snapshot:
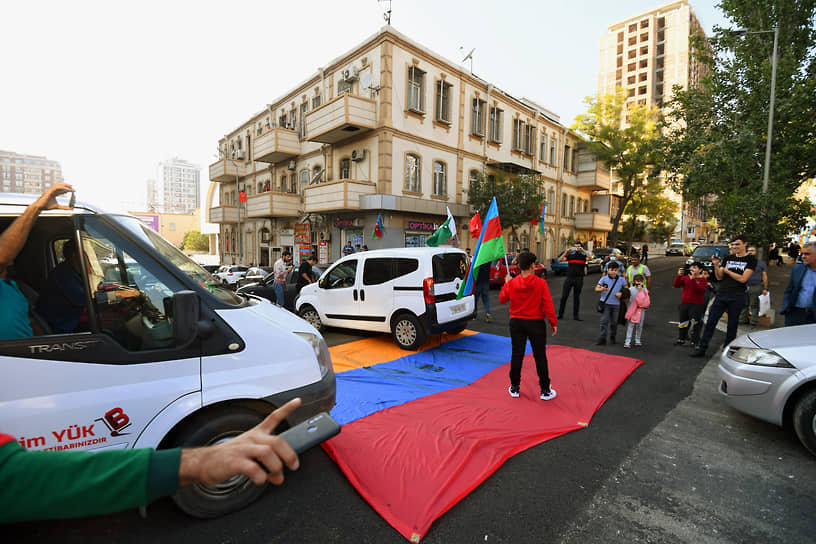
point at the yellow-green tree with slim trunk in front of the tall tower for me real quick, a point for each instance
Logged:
(629, 151)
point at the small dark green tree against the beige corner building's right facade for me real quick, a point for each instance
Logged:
(518, 199)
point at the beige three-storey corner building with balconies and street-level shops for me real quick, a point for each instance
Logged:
(394, 130)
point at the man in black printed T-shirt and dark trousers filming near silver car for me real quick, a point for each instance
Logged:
(733, 272)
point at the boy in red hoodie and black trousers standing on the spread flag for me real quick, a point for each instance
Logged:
(530, 307)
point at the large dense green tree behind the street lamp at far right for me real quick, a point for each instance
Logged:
(716, 135)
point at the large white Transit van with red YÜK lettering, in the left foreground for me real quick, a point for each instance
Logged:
(157, 354)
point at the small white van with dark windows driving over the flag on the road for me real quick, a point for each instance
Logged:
(409, 292)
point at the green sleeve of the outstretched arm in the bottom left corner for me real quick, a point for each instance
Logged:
(59, 484)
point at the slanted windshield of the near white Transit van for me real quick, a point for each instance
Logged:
(152, 239)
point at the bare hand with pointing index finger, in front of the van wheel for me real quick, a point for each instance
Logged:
(244, 454)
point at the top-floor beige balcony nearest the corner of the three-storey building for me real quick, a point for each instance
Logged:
(346, 116)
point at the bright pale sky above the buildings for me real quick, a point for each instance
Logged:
(109, 89)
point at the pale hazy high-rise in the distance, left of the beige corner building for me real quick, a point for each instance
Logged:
(175, 189)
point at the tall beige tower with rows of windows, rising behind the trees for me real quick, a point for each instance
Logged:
(647, 54)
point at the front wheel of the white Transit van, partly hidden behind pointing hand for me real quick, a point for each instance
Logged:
(214, 500)
